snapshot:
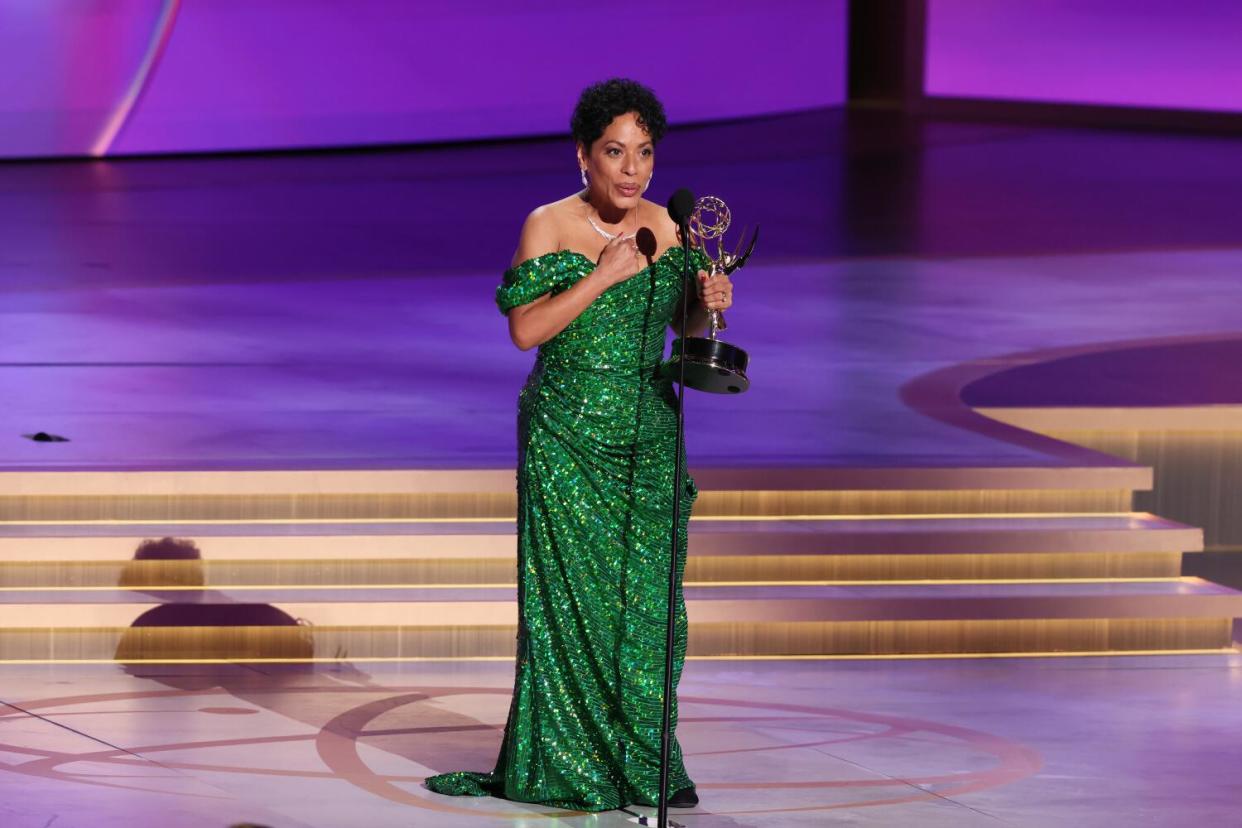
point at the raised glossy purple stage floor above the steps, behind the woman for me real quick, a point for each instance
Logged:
(335, 312)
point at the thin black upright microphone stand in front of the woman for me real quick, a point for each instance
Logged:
(670, 639)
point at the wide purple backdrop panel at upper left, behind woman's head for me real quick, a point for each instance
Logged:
(161, 76)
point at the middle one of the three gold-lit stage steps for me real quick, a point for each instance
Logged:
(387, 553)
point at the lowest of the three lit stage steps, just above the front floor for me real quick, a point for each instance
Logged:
(479, 621)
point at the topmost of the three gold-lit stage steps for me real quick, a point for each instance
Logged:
(88, 496)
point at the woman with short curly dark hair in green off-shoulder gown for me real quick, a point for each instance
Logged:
(596, 476)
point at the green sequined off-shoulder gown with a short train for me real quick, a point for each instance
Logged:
(597, 429)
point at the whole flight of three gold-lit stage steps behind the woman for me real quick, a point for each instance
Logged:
(315, 574)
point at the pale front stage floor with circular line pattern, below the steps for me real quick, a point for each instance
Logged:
(1069, 742)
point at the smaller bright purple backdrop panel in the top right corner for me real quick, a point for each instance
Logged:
(1169, 54)
